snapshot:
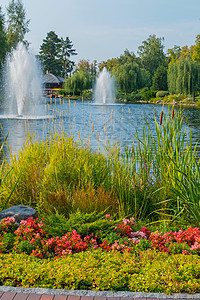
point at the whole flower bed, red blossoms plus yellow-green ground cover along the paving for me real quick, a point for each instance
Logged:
(129, 259)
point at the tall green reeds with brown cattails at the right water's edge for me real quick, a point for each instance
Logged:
(150, 163)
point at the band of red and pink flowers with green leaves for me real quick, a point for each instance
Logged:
(30, 237)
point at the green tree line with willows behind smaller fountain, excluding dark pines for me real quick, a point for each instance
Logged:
(151, 70)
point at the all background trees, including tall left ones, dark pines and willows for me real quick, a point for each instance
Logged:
(152, 69)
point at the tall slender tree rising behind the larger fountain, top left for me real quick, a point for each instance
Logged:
(17, 24)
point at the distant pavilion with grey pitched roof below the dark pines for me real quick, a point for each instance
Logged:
(51, 84)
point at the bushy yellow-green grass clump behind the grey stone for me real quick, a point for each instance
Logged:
(60, 174)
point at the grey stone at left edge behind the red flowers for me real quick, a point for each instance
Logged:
(19, 212)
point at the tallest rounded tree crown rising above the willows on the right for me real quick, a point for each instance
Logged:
(151, 53)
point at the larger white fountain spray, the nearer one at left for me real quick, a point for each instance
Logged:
(23, 88)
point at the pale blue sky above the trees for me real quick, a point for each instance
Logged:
(103, 29)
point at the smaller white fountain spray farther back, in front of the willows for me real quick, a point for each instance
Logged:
(104, 88)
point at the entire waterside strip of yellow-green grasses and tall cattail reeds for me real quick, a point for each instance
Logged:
(60, 174)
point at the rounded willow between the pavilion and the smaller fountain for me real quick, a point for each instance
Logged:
(78, 82)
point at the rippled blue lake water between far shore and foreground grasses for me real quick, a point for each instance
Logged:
(97, 125)
